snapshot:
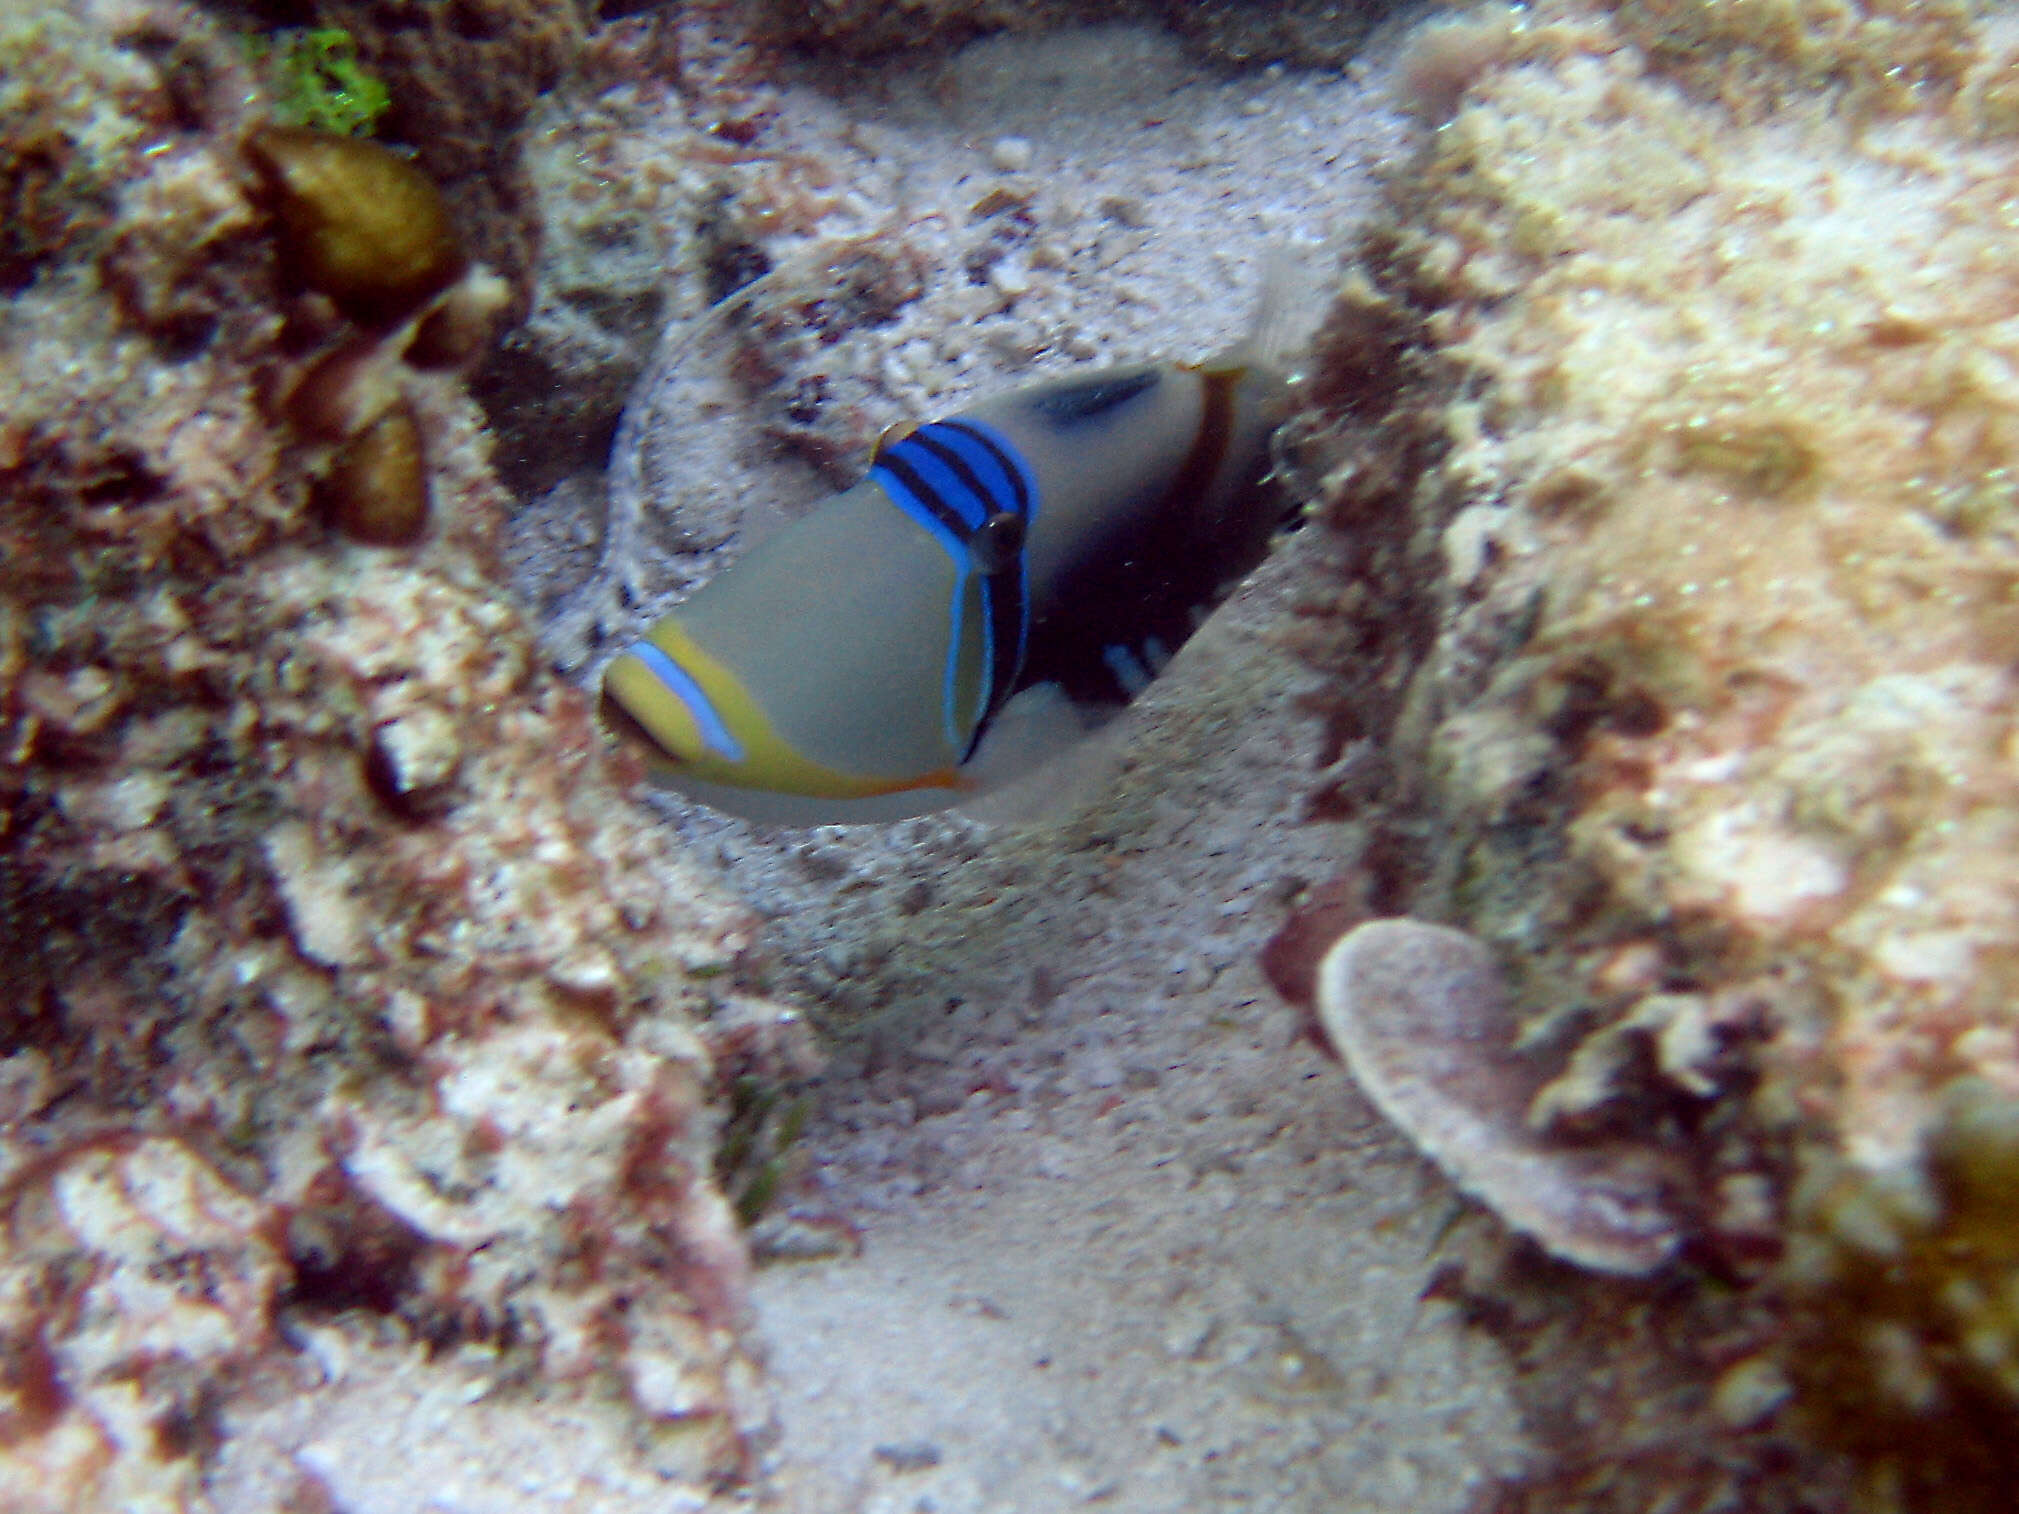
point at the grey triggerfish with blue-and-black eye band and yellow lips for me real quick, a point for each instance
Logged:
(1002, 576)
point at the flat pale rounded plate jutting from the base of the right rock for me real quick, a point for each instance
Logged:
(1422, 1018)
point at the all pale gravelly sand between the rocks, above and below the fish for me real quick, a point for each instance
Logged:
(1128, 1240)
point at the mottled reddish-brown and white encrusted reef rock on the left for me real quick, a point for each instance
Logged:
(356, 1024)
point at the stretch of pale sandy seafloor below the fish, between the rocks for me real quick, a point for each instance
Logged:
(1176, 1265)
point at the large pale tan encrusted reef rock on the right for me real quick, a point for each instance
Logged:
(1677, 427)
